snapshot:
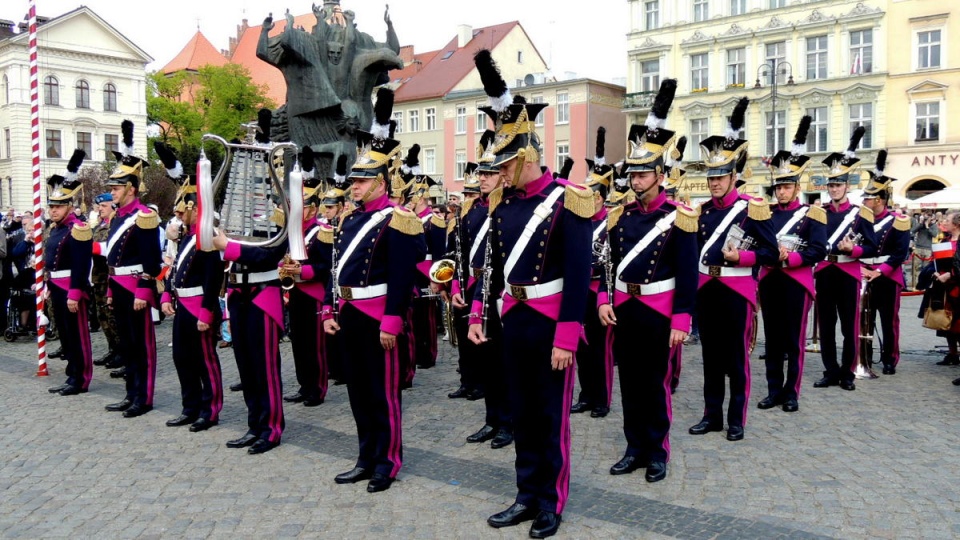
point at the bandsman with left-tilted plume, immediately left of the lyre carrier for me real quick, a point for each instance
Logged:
(194, 284)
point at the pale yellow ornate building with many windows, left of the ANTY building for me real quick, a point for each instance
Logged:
(825, 58)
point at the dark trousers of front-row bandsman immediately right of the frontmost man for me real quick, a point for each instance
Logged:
(646, 374)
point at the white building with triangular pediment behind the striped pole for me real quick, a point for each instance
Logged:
(91, 77)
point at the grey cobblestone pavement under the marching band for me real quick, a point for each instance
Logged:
(880, 462)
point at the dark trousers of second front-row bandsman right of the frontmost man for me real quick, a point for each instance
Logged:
(726, 323)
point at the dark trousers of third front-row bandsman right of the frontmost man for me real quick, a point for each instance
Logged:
(786, 304)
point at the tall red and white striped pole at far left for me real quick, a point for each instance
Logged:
(37, 209)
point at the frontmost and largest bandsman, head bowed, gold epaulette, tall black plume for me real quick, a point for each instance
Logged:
(540, 259)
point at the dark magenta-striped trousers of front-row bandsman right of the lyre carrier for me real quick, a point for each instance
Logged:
(373, 386)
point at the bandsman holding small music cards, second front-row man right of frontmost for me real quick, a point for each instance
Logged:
(727, 295)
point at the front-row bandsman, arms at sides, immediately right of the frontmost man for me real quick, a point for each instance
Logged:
(652, 268)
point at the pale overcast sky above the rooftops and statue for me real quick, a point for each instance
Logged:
(590, 43)
